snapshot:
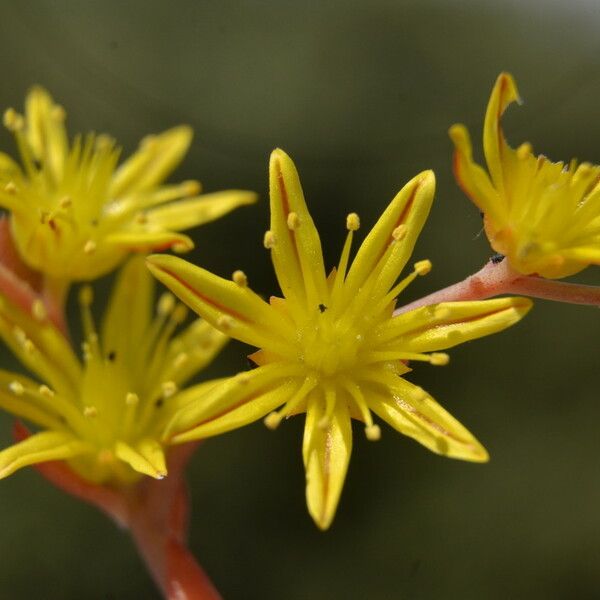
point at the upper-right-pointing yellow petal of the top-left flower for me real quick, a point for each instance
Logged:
(153, 162)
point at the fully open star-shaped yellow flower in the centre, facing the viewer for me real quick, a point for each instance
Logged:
(332, 347)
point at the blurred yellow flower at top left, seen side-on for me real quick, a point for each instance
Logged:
(75, 214)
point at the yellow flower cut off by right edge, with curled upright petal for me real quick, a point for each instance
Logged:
(544, 216)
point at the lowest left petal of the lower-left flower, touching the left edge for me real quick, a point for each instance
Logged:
(41, 447)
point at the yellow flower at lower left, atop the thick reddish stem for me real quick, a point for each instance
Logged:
(107, 415)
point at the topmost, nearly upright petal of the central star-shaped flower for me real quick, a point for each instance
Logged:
(296, 252)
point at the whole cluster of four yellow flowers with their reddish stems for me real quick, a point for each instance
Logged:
(335, 345)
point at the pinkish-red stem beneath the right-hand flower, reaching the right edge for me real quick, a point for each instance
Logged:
(498, 278)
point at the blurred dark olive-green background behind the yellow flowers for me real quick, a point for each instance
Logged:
(361, 95)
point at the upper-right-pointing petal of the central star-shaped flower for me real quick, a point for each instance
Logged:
(408, 210)
